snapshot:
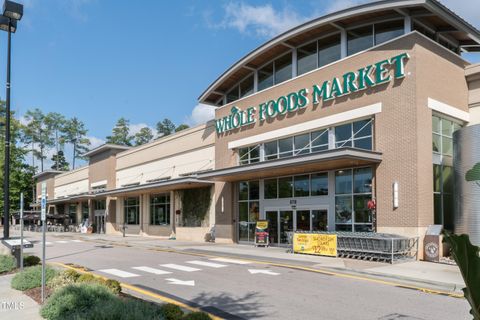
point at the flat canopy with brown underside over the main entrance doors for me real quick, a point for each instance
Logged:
(321, 161)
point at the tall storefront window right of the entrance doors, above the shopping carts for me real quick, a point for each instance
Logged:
(353, 191)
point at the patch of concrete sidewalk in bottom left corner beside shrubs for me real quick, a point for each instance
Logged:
(14, 304)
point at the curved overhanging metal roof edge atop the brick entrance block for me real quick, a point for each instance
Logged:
(401, 7)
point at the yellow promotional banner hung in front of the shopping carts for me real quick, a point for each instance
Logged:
(318, 244)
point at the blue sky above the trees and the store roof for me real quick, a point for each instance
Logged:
(144, 60)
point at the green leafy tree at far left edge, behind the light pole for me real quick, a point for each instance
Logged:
(21, 174)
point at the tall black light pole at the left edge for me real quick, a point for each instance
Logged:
(12, 12)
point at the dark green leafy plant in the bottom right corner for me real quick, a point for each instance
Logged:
(466, 255)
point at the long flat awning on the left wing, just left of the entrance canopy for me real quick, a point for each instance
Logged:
(158, 186)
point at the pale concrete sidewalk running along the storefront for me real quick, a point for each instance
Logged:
(432, 276)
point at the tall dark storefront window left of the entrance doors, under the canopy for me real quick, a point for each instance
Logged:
(248, 209)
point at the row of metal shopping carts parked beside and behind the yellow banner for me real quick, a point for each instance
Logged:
(373, 246)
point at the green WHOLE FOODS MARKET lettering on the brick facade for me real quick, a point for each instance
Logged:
(355, 81)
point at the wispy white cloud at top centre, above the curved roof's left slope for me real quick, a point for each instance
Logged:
(262, 20)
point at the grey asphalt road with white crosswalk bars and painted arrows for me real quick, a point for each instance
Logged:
(236, 290)
